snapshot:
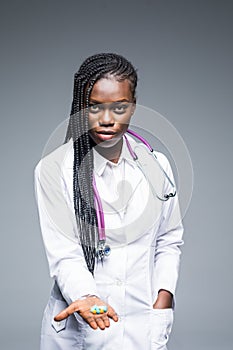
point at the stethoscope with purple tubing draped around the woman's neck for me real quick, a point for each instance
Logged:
(103, 249)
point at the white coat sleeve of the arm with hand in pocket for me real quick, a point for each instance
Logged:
(169, 238)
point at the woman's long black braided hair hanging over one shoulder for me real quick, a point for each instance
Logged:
(92, 69)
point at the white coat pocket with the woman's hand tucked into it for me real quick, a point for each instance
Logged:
(161, 326)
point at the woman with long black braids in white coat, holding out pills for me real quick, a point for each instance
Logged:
(112, 245)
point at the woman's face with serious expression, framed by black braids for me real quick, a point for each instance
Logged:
(110, 111)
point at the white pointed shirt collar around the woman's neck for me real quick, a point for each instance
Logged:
(100, 162)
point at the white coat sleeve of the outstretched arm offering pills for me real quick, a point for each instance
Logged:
(64, 253)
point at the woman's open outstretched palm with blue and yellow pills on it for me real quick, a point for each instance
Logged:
(83, 308)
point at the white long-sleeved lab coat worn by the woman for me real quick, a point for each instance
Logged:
(144, 234)
